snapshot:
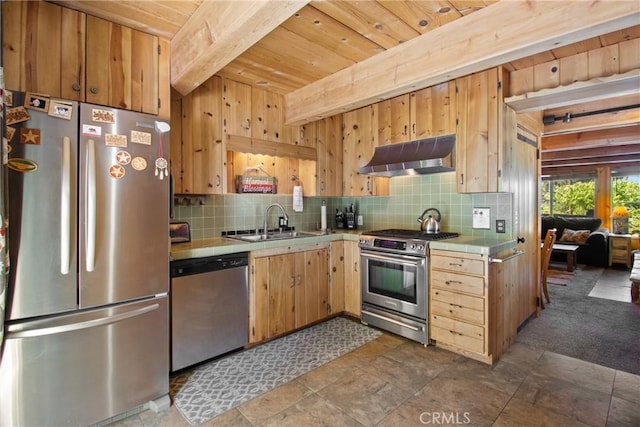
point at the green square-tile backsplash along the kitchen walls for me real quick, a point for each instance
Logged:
(409, 197)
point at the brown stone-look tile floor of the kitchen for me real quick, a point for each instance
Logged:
(392, 381)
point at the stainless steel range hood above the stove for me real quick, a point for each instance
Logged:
(421, 157)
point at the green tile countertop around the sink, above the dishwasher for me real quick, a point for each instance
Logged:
(226, 245)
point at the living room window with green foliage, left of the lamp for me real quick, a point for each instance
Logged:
(568, 197)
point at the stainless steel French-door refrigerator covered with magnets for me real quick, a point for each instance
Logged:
(86, 325)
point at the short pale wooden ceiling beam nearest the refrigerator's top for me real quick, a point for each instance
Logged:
(218, 32)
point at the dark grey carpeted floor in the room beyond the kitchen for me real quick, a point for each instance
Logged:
(596, 330)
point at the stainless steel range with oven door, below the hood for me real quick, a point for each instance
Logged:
(394, 277)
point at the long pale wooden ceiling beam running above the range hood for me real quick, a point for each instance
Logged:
(464, 46)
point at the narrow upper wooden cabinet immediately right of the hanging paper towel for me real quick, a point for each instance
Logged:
(329, 164)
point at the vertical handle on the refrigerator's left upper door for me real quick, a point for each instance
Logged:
(65, 208)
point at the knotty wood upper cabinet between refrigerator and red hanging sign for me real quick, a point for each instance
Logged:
(198, 152)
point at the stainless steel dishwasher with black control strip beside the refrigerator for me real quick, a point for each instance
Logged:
(209, 308)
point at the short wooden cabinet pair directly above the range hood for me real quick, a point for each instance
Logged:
(422, 114)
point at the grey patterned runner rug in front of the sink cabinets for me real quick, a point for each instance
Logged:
(225, 383)
